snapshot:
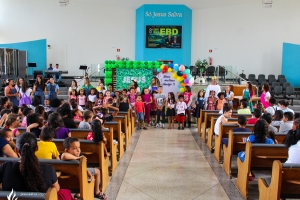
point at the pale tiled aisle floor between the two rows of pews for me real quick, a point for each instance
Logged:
(168, 164)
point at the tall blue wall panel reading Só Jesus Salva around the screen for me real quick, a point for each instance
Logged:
(180, 56)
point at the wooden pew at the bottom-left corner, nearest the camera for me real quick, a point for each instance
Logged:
(50, 195)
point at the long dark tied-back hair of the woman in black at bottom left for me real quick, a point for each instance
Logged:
(29, 165)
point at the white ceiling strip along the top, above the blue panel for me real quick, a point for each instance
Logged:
(193, 4)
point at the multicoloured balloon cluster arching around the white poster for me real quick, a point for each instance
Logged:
(180, 73)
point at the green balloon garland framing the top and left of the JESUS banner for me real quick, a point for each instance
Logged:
(114, 64)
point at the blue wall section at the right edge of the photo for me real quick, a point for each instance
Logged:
(291, 63)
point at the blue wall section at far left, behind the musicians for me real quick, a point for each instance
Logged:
(36, 52)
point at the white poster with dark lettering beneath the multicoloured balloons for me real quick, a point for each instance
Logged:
(169, 84)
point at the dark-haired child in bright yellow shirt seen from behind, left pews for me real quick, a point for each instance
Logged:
(46, 148)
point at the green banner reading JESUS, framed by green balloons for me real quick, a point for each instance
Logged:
(124, 78)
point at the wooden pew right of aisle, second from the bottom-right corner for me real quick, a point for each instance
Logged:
(259, 156)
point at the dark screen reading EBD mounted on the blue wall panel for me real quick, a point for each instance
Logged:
(163, 36)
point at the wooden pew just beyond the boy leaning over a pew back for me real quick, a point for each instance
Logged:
(94, 154)
